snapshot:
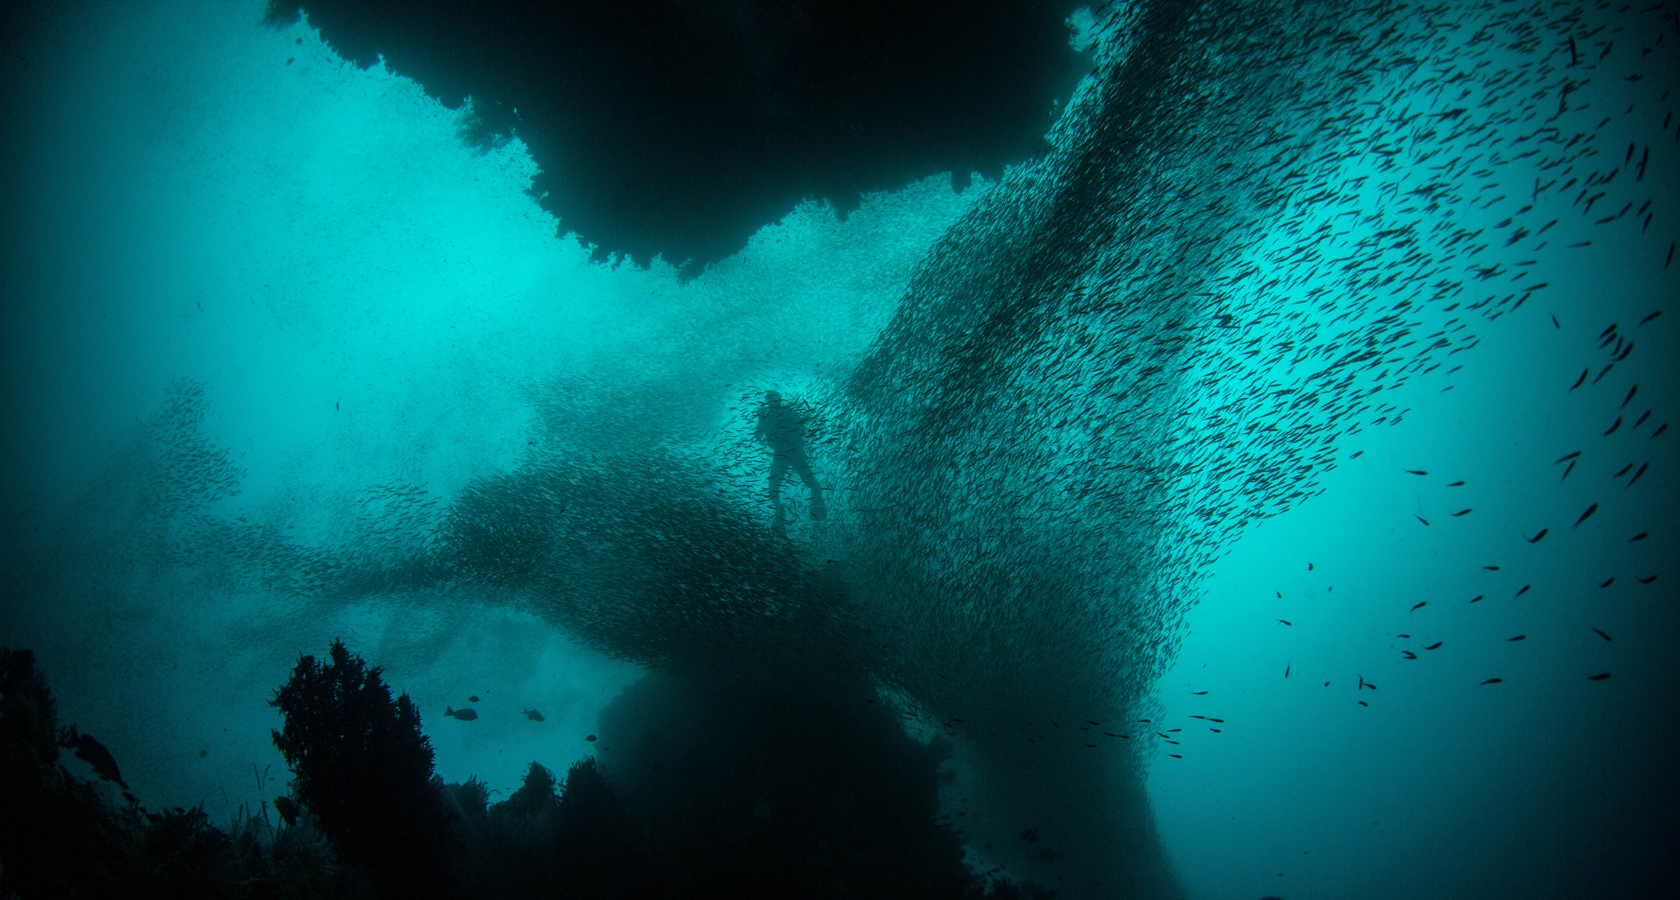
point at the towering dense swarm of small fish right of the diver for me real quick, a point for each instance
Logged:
(1259, 219)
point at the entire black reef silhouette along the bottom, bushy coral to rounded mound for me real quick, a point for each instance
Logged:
(777, 792)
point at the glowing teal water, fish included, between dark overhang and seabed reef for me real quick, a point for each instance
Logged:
(1205, 427)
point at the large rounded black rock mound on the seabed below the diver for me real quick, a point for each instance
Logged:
(757, 785)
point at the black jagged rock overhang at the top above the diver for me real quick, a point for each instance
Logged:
(678, 128)
